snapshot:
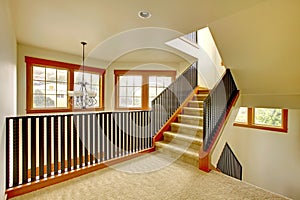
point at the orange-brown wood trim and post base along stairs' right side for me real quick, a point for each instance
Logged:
(204, 156)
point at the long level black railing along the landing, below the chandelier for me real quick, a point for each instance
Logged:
(38, 147)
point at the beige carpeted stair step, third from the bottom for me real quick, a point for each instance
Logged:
(187, 129)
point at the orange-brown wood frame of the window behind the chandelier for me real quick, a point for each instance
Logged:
(31, 62)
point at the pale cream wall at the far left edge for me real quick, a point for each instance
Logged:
(8, 80)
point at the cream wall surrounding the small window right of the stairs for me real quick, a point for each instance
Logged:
(269, 159)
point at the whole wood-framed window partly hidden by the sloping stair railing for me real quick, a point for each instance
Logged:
(137, 88)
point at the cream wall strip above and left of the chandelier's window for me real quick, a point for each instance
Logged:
(25, 50)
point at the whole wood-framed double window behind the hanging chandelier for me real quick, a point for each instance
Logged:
(48, 83)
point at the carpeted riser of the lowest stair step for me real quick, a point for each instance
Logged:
(179, 156)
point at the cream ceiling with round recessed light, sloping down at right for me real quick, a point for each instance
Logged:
(257, 39)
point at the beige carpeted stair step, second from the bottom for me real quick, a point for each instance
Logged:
(185, 141)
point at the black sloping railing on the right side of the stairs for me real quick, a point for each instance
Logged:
(215, 108)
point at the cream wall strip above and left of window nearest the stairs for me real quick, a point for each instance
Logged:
(110, 81)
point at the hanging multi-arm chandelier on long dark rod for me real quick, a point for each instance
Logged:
(83, 98)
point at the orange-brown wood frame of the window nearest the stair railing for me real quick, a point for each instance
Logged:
(145, 85)
